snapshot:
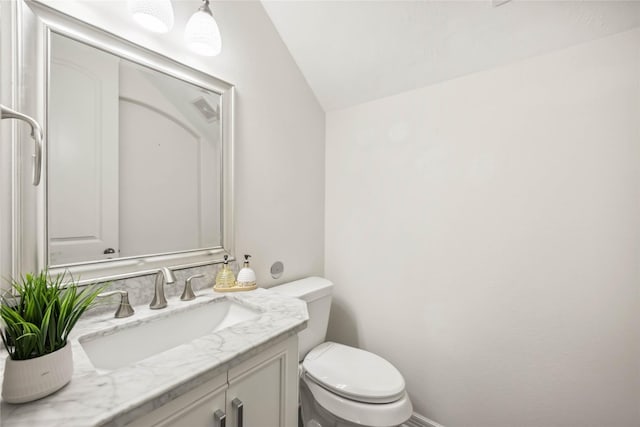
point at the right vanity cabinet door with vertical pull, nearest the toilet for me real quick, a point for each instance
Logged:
(263, 391)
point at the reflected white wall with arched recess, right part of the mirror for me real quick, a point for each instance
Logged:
(188, 161)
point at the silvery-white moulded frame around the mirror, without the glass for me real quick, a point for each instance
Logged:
(34, 23)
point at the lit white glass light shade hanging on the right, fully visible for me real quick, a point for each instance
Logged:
(202, 34)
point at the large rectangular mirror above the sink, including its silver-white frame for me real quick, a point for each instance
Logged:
(138, 154)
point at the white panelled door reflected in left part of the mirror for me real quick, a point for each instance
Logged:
(83, 153)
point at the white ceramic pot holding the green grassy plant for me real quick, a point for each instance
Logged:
(31, 379)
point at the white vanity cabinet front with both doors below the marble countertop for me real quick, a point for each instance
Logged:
(259, 392)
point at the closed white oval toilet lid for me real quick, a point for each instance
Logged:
(353, 373)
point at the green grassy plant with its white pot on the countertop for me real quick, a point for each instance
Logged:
(37, 318)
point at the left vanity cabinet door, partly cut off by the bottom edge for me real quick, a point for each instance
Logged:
(201, 407)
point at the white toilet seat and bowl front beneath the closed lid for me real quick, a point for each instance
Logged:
(367, 414)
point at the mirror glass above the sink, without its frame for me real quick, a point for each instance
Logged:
(134, 159)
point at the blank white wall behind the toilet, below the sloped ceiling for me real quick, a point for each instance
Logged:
(484, 236)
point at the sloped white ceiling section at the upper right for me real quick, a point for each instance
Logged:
(351, 52)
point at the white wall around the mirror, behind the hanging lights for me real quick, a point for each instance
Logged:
(279, 183)
